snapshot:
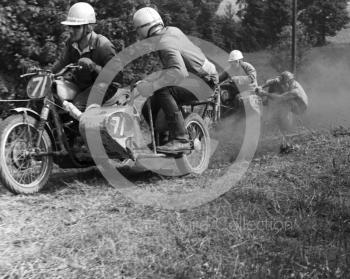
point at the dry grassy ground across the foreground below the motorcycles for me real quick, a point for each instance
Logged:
(288, 218)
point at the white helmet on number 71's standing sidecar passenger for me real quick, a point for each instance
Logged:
(145, 19)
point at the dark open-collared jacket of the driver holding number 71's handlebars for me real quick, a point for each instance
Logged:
(100, 50)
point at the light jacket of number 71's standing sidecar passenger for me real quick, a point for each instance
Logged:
(180, 57)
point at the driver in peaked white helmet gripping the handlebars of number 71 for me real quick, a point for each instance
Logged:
(86, 48)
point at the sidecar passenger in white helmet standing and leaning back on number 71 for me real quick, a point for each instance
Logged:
(179, 57)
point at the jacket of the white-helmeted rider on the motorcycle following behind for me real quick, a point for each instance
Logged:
(244, 77)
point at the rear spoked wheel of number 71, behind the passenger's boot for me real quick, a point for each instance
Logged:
(197, 160)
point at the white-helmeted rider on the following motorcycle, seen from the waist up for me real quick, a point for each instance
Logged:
(242, 73)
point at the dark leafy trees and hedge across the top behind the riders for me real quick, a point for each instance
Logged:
(31, 33)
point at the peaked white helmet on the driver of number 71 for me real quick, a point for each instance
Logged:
(80, 13)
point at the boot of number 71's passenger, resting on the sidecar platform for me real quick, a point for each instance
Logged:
(179, 141)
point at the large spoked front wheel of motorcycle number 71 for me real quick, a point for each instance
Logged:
(21, 171)
